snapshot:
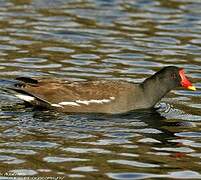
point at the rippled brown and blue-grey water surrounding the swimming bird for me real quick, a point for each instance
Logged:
(114, 39)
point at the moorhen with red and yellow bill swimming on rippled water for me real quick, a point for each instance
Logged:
(100, 96)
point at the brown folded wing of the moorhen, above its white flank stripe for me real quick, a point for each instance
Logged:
(59, 91)
